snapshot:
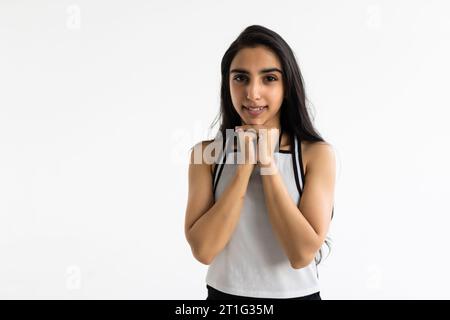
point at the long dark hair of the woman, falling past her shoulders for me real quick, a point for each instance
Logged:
(294, 117)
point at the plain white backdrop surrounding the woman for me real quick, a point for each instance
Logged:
(100, 102)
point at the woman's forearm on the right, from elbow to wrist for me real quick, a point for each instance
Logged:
(297, 237)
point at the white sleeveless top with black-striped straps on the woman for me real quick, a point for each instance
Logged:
(253, 263)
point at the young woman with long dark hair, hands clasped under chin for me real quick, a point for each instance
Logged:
(260, 223)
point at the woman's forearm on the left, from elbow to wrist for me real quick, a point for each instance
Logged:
(210, 234)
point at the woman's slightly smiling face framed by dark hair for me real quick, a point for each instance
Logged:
(256, 86)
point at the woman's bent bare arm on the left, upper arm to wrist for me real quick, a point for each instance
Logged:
(209, 225)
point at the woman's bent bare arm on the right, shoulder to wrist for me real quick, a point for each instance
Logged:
(302, 230)
